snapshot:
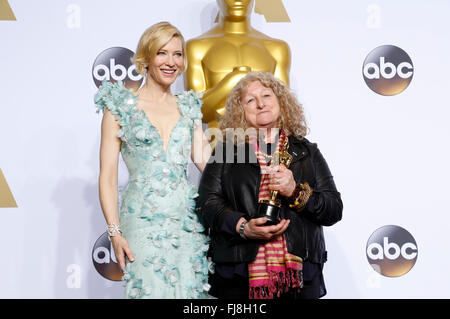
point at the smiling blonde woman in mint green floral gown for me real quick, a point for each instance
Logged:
(157, 238)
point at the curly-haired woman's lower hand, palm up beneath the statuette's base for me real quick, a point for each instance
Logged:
(256, 229)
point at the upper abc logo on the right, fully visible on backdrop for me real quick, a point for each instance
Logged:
(388, 70)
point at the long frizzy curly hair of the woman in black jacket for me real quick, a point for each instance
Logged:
(292, 118)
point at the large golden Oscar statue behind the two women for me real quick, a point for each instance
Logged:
(219, 58)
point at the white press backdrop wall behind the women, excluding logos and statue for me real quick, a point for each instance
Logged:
(389, 154)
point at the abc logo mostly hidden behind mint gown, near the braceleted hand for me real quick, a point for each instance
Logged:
(104, 259)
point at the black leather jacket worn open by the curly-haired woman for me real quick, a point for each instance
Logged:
(227, 188)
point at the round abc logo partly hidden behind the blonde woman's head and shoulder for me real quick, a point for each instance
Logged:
(114, 64)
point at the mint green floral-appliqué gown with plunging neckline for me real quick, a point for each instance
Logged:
(157, 207)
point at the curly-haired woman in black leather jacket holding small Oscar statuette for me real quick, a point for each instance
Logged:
(265, 195)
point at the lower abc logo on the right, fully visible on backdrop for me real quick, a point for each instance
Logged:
(391, 251)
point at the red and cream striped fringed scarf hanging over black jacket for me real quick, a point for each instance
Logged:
(274, 270)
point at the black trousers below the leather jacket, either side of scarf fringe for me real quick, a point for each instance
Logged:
(238, 288)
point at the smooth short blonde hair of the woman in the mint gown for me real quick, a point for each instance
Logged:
(153, 39)
